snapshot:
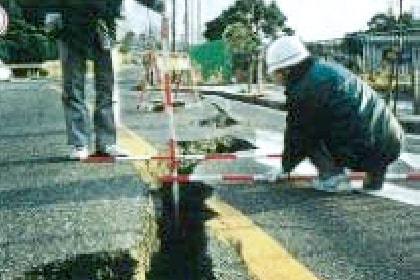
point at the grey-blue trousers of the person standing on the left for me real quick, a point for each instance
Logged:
(73, 57)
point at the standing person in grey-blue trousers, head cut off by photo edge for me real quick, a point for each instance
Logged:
(87, 31)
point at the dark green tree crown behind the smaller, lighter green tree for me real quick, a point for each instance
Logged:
(252, 13)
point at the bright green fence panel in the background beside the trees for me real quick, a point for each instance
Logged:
(214, 59)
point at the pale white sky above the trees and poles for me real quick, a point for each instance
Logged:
(311, 19)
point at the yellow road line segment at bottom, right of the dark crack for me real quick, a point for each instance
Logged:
(265, 258)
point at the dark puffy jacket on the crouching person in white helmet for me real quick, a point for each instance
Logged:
(328, 103)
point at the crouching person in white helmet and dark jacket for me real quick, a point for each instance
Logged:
(334, 118)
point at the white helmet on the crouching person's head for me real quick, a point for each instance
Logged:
(284, 52)
